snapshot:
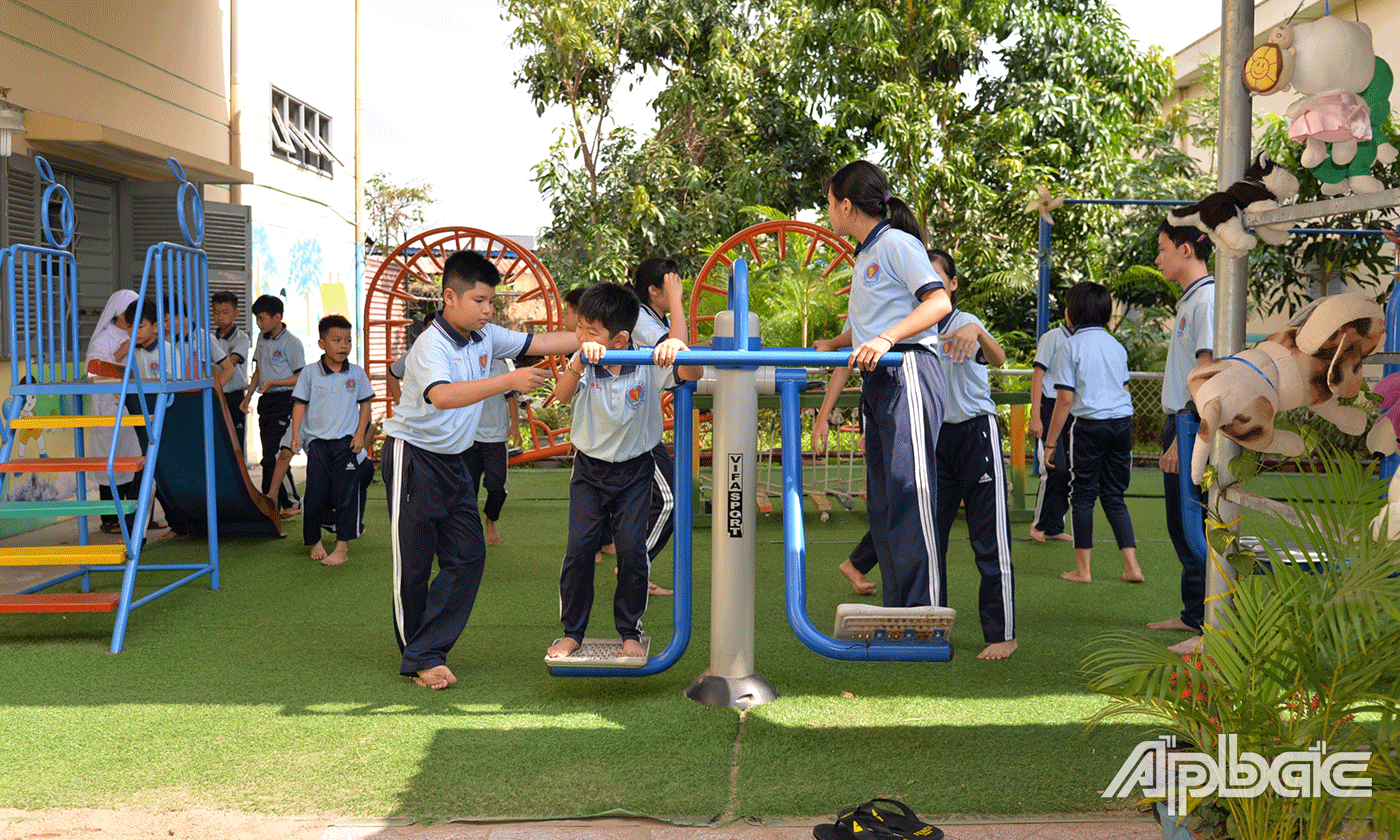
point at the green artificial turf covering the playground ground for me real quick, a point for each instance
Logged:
(281, 692)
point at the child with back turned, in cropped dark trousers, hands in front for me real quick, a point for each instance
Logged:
(1091, 379)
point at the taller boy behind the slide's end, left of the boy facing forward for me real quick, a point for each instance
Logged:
(279, 359)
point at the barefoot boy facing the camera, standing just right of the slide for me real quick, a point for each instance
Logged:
(331, 415)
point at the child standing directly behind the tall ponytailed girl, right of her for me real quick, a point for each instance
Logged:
(969, 468)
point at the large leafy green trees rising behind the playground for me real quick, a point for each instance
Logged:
(968, 104)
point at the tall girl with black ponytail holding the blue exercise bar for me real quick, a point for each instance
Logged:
(897, 302)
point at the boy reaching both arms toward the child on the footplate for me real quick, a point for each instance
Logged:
(428, 482)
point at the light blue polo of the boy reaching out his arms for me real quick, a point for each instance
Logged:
(443, 356)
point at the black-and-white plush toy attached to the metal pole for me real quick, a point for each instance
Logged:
(1265, 185)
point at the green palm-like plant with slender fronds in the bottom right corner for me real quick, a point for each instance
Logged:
(1298, 674)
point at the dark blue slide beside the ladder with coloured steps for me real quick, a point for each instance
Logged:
(180, 471)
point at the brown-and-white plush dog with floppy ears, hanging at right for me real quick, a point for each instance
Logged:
(1314, 363)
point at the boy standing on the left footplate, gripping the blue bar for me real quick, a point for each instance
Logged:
(617, 426)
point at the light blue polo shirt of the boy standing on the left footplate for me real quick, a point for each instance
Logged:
(618, 416)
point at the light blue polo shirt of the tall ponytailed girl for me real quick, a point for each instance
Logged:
(892, 274)
